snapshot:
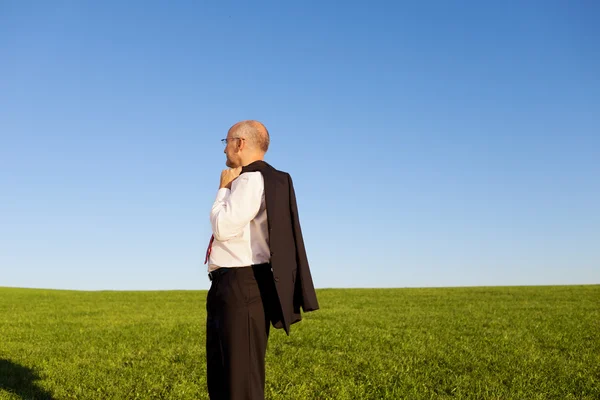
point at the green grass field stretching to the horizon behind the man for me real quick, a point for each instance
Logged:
(476, 343)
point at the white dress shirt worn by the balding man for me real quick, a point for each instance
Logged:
(239, 224)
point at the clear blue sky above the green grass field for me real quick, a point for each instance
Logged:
(431, 144)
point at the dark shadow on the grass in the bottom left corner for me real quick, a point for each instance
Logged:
(21, 381)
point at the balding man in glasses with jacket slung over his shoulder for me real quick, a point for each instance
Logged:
(257, 265)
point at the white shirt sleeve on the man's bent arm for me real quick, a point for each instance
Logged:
(234, 209)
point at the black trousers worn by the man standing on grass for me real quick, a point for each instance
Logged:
(238, 306)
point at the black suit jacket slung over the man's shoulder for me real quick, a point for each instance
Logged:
(291, 272)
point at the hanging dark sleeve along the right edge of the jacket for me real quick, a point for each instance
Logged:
(303, 276)
